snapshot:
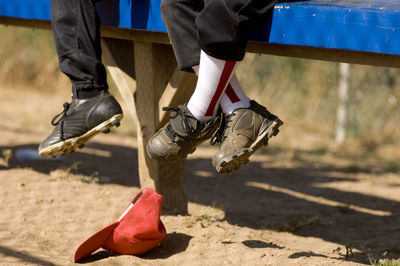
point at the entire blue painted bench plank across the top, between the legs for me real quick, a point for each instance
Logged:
(359, 25)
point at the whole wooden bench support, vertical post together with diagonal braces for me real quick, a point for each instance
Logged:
(149, 72)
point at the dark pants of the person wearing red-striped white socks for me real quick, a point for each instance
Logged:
(218, 27)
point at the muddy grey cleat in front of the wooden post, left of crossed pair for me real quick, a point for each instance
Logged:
(181, 135)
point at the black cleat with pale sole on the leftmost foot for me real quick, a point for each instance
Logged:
(80, 121)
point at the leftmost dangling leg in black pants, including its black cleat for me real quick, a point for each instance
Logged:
(76, 30)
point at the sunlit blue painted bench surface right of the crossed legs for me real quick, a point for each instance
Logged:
(369, 26)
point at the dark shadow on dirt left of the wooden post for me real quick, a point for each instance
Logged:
(112, 164)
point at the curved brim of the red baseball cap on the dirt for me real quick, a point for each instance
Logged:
(94, 242)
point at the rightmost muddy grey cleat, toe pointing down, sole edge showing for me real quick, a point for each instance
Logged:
(245, 131)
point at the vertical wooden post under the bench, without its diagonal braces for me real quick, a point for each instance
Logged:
(155, 64)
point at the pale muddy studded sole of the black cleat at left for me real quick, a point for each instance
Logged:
(70, 145)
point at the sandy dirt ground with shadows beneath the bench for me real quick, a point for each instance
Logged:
(290, 205)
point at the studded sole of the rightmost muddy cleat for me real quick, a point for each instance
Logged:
(237, 159)
